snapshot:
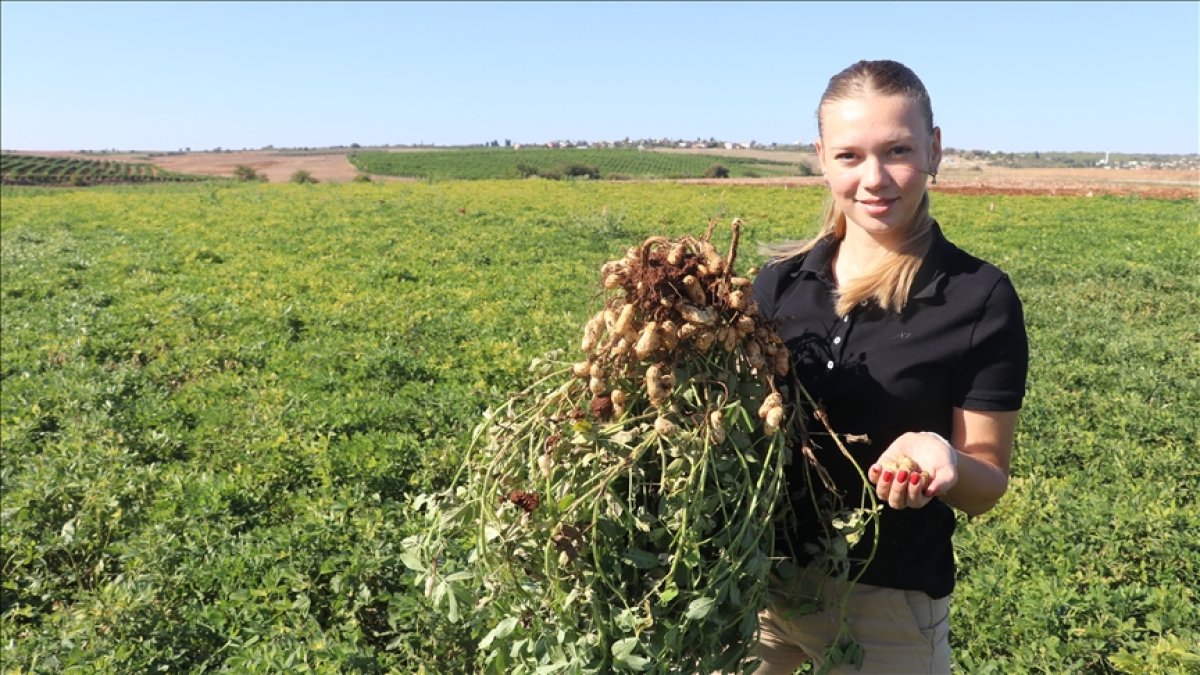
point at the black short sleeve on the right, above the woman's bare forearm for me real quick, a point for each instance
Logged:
(998, 361)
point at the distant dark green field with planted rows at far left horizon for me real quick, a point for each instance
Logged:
(35, 170)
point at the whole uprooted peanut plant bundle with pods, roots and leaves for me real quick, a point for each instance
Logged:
(620, 513)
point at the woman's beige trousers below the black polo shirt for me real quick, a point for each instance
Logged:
(899, 631)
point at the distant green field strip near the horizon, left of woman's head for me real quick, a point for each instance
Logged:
(559, 163)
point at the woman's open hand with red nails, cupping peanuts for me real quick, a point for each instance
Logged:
(909, 488)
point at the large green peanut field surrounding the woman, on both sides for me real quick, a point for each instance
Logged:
(218, 401)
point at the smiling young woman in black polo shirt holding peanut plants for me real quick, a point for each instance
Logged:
(905, 339)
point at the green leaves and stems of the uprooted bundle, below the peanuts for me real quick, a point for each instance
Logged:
(626, 546)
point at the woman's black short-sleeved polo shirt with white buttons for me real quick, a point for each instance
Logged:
(959, 343)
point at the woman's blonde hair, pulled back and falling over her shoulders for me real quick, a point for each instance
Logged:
(890, 280)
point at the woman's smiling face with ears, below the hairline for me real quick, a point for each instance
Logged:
(877, 152)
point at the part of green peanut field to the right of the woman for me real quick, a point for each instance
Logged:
(1088, 557)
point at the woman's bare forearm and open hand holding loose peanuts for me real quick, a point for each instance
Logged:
(971, 476)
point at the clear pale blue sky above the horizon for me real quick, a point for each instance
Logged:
(1004, 76)
